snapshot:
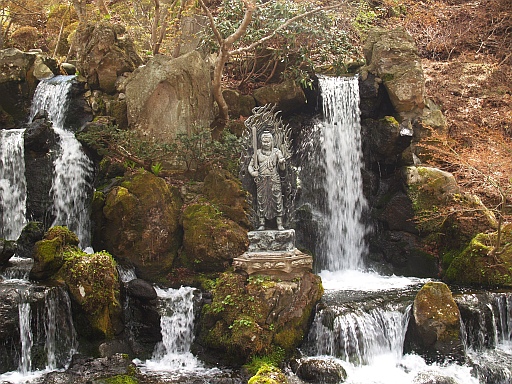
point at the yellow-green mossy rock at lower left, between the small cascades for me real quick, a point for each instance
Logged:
(94, 286)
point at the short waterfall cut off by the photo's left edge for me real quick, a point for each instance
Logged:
(13, 189)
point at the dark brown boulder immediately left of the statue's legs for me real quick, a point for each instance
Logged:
(225, 191)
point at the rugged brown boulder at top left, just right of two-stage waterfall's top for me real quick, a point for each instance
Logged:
(105, 52)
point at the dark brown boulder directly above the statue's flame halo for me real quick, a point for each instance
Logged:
(288, 96)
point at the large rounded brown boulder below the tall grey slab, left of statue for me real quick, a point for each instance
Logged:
(138, 222)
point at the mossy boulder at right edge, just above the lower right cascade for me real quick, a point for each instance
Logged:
(483, 262)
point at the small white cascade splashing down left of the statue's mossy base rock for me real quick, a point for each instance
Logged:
(172, 354)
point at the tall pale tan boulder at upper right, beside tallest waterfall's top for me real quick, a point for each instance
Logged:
(393, 57)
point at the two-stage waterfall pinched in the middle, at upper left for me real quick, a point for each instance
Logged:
(71, 186)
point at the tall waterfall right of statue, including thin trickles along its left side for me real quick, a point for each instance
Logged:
(335, 164)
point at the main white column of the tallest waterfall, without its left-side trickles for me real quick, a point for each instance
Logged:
(341, 145)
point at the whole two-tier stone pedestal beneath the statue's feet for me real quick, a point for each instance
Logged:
(273, 253)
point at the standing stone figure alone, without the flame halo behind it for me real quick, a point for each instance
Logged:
(264, 168)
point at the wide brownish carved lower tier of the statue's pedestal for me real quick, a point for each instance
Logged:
(285, 265)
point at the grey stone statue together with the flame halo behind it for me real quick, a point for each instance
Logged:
(267, 163)
